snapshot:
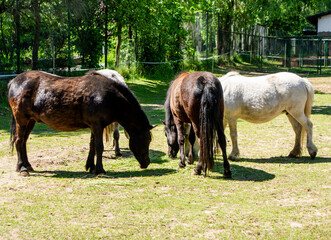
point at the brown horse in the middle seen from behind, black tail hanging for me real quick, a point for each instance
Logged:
(196, 98)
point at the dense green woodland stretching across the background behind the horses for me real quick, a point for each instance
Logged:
(40, 34)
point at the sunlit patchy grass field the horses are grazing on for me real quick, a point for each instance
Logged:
(269, 196)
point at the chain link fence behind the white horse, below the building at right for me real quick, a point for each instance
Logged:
(305, 53)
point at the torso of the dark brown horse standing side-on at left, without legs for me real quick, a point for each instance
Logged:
(65, 104)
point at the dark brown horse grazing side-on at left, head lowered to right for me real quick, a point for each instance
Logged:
(71, 103)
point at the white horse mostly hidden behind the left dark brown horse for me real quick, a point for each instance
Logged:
(113, 128)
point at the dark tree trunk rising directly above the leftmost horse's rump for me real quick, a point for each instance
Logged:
(36, 9)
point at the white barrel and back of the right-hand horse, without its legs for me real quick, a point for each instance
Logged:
(260, 99)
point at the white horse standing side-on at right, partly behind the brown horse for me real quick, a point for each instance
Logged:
(261, 99)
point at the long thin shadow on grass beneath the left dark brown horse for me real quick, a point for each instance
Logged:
(109, 174)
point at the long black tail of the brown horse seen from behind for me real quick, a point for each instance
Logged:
(209, 120)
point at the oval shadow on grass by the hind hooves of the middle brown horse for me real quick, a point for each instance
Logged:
(240, 173)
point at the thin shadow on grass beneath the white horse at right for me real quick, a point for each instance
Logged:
(285, 160)
